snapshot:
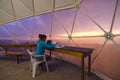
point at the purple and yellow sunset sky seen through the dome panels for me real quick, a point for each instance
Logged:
(101, 11)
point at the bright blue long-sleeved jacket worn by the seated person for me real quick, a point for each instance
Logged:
(41, 46)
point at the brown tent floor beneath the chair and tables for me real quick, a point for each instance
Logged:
(59, 70)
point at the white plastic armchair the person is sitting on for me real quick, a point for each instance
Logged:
(35, 62)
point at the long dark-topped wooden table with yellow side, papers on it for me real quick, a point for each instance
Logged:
(80, 52)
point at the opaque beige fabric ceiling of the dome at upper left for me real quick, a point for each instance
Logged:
(11, 10)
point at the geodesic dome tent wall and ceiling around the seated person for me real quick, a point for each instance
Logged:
(90, 25)
